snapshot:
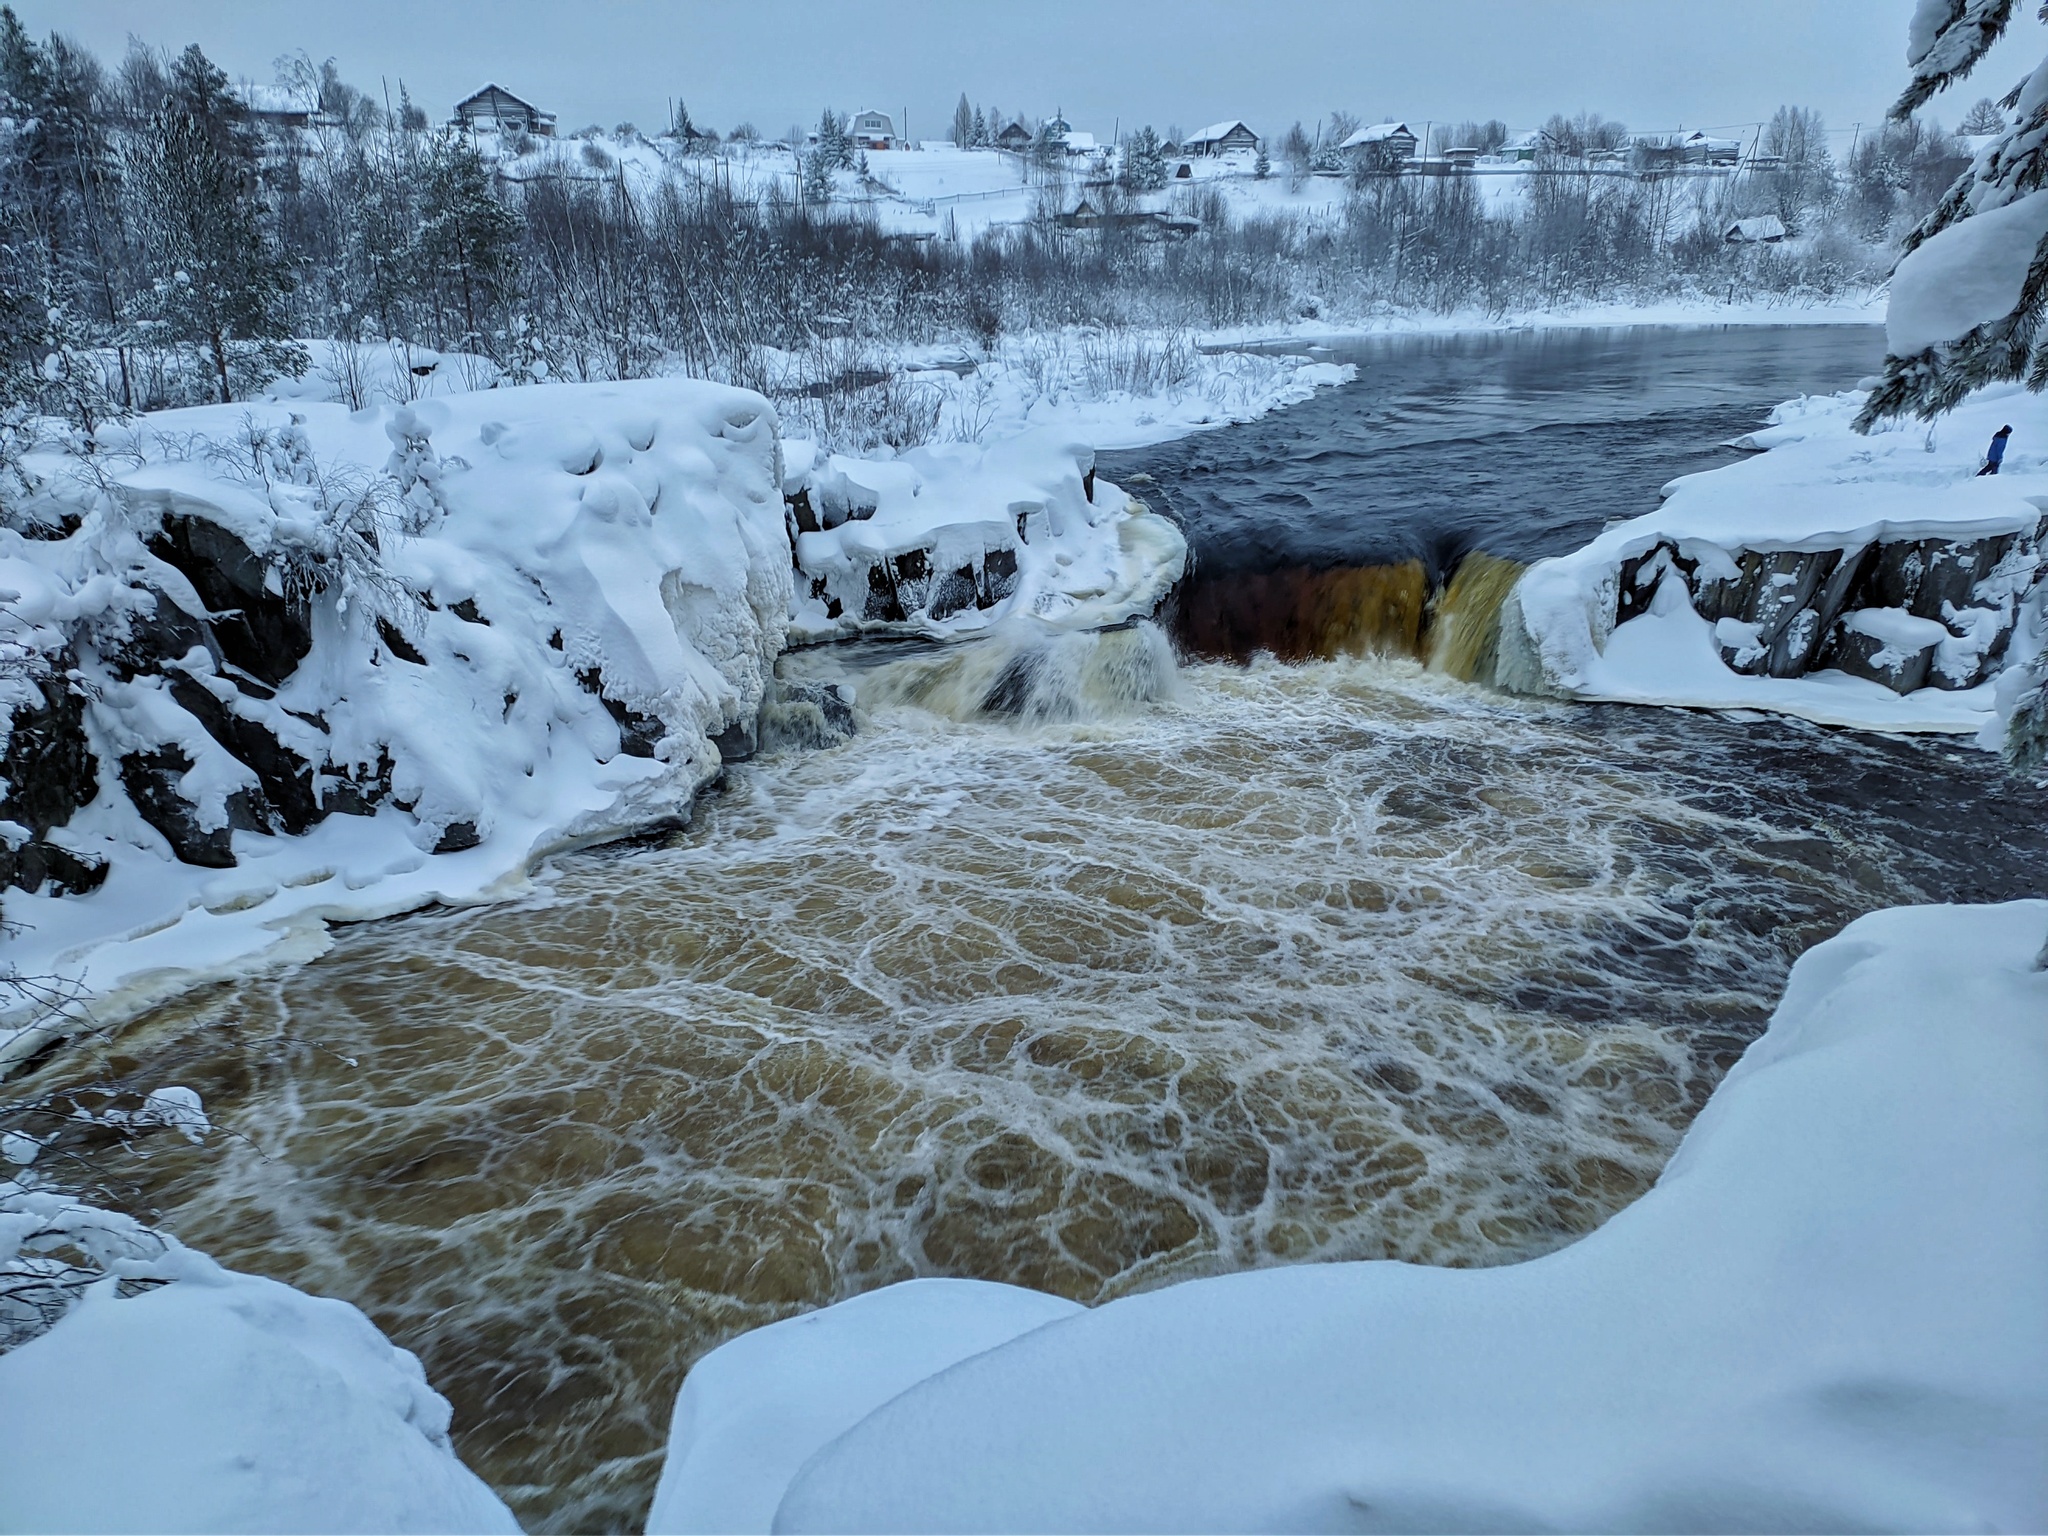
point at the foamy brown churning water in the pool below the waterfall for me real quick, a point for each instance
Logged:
(1078, 968)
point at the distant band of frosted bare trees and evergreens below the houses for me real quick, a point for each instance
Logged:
(161, 243)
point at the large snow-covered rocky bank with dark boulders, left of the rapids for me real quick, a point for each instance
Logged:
(306, 665)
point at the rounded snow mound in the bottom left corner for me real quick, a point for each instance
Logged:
(214, 1402)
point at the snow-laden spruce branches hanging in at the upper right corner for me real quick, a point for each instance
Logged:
(1973, 282)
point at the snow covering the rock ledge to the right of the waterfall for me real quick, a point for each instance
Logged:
(1818, 488)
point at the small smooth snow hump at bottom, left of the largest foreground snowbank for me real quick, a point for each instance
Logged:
(757, 1408)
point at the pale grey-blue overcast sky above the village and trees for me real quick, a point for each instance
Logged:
(1656, 65)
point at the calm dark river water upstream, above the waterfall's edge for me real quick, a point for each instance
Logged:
(1521, 443)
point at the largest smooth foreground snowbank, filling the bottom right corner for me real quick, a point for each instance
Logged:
(1832, 1314)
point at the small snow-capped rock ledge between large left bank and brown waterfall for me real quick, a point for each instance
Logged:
(953, 540)
